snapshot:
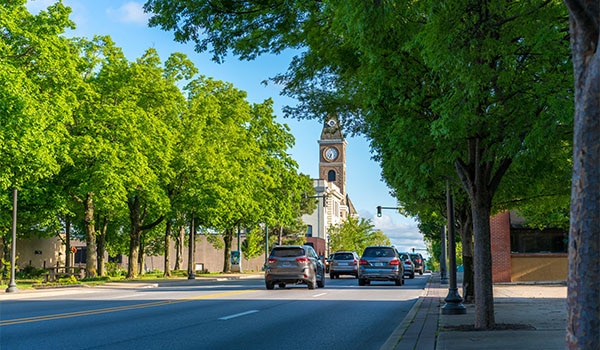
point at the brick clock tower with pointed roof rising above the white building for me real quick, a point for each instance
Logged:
(332, 154)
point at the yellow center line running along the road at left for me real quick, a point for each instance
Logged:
(117, 308)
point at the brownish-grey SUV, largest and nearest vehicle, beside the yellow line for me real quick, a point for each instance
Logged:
(294, 264)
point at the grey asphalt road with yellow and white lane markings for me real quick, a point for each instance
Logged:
(200, 314)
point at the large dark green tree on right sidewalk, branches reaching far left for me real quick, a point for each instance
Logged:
(482, 82)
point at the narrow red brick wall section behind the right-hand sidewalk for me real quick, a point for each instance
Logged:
(500, 247)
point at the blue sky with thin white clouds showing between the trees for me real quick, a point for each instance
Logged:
(125, 22)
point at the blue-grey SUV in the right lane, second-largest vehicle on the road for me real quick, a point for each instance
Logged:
(380, 263)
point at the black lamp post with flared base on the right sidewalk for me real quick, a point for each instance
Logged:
(453, 300)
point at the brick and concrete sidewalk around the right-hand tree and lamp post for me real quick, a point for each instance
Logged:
(528, 316)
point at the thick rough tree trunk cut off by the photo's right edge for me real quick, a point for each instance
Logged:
(583, 296)
